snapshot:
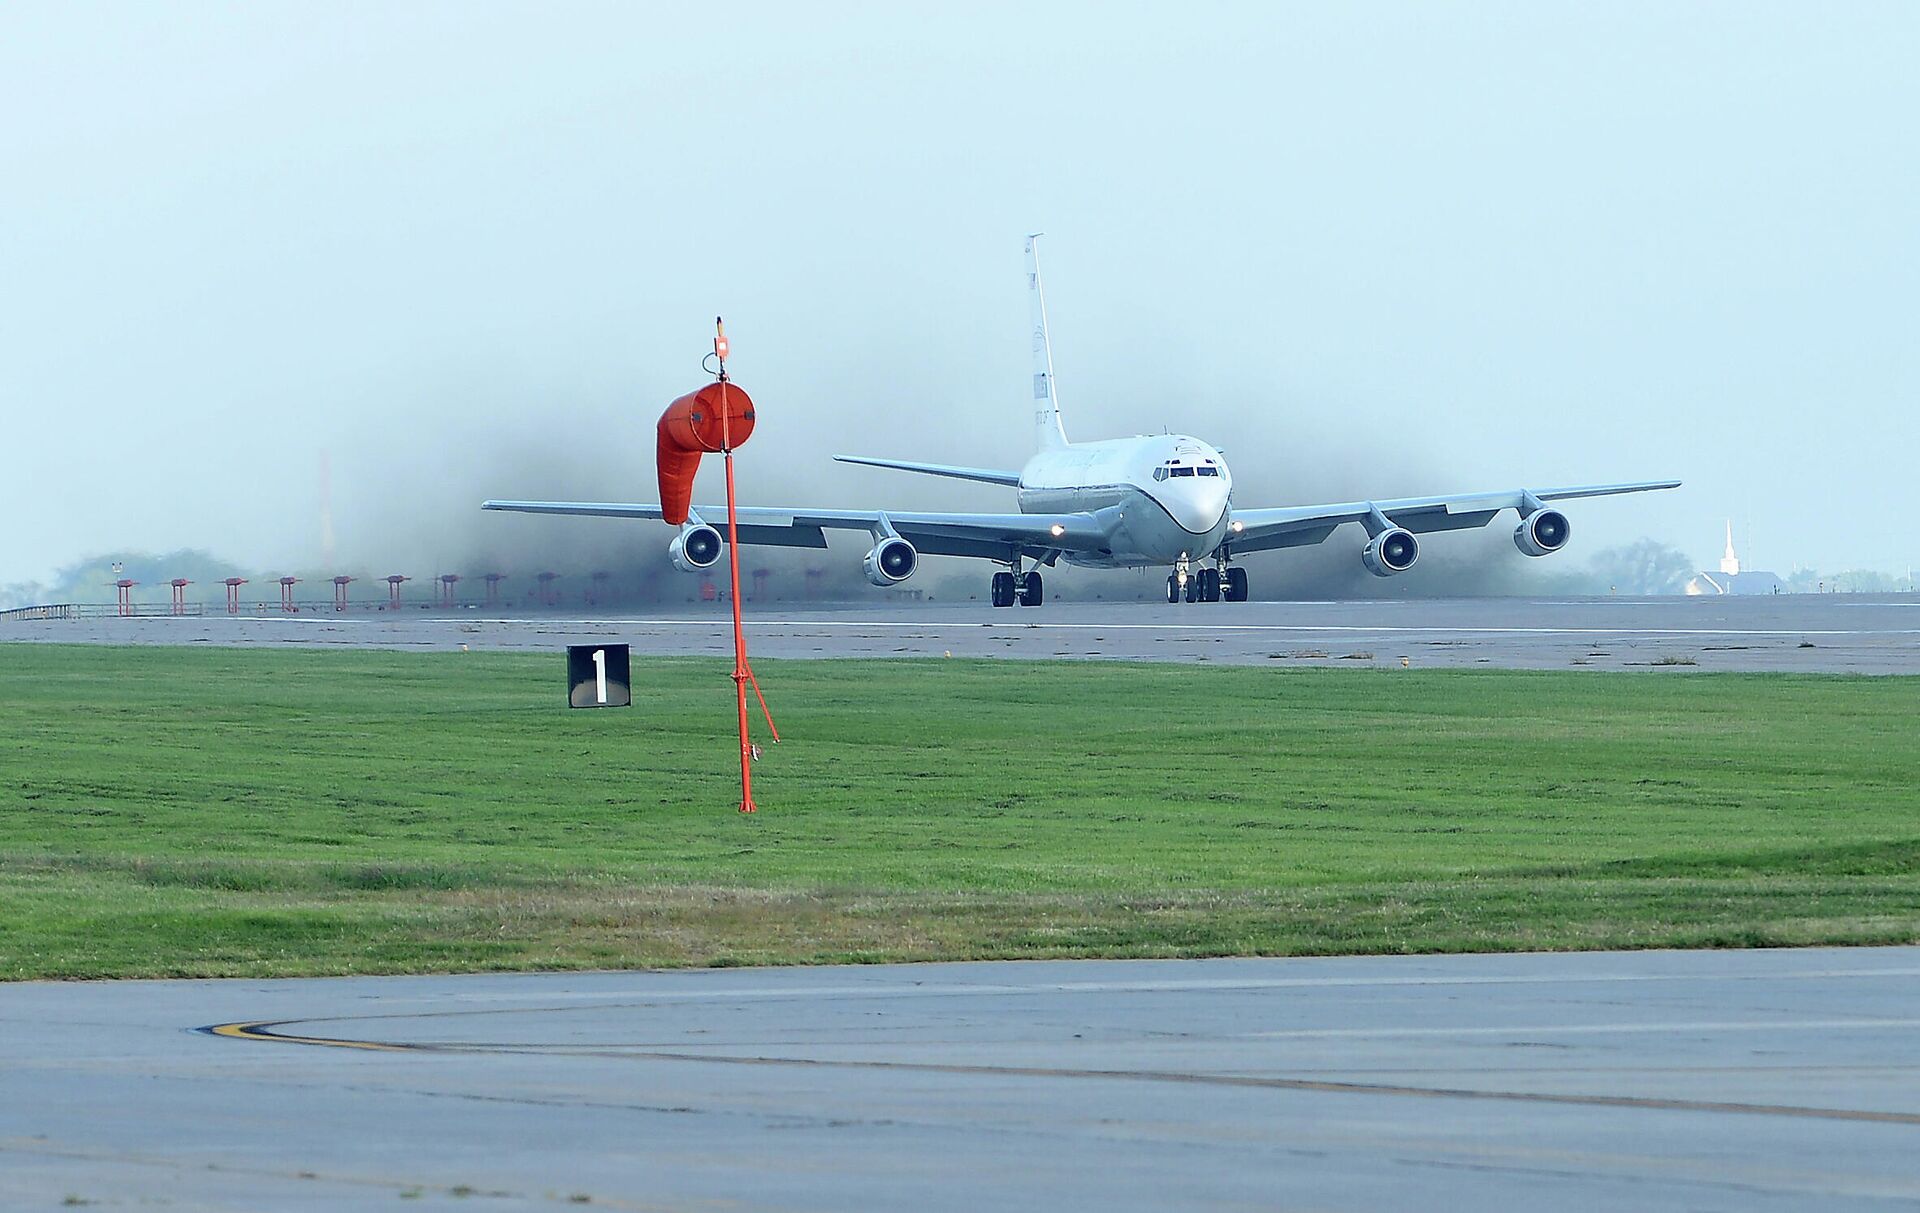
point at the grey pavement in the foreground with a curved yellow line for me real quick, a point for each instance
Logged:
(1591, 1082)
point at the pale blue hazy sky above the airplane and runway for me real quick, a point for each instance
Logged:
(1368, 249)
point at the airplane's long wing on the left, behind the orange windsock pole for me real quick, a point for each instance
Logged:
(992, 536)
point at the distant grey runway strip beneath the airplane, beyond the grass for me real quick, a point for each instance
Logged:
(1790, 632)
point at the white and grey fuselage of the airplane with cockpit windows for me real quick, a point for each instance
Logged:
(1163, 498)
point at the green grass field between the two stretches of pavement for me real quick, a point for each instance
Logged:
(251, 813)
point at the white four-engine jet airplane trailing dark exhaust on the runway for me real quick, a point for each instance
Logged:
(1159, 502)
